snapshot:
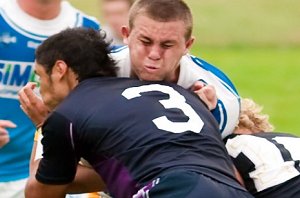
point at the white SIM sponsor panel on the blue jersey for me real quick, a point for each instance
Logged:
(13, 76)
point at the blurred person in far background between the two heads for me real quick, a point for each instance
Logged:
(115, 15)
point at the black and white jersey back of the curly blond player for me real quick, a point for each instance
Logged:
(268, 163)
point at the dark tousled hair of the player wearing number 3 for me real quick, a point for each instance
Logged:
(82, 49)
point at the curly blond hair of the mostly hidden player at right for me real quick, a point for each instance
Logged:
(252, 118)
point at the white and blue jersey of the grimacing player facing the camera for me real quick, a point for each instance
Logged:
(193, 69)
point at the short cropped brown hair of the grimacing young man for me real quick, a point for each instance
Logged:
(164, 11)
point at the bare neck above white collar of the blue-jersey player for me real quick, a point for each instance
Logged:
(41, 9)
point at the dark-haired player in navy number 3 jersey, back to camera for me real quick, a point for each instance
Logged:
(144, 139)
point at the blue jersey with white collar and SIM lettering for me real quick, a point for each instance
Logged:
(20, 34)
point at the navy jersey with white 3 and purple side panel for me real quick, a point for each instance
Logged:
(131, 132)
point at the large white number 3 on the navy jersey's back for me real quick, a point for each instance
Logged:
(176, 100)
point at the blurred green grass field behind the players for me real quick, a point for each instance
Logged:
(256, 43)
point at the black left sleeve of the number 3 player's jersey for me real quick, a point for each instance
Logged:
(59, 162)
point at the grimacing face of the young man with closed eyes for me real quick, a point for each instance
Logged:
(156, 48)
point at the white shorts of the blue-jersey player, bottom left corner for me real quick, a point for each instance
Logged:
(13, 189)
